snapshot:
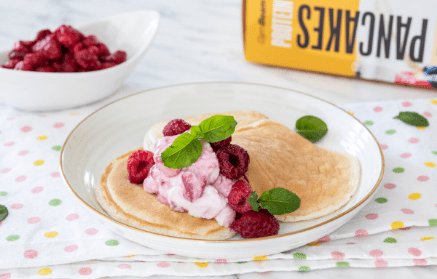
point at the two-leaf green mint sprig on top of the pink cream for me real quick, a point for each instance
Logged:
(187, 148)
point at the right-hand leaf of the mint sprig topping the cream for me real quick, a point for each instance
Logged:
(217, 128)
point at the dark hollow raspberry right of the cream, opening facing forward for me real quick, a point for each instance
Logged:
(233, 161)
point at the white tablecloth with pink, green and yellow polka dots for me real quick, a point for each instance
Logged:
(48, 235)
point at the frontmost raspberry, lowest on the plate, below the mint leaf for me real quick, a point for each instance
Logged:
(254, 224)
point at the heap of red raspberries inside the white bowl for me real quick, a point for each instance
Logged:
(65, 50)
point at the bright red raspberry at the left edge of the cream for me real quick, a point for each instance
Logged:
(138, 165)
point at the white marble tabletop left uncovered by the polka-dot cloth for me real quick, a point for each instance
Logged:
(201, 41)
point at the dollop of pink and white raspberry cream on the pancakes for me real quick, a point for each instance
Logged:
(199, 189)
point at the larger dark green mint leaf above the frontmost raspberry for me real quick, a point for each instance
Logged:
(279, 201)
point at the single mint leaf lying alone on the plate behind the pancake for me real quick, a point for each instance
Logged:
(312, 128)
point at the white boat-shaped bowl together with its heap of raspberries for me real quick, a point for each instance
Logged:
(72, 66)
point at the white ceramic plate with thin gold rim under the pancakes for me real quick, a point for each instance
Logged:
(120, 127)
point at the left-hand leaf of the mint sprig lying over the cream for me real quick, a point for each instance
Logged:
(183, 152)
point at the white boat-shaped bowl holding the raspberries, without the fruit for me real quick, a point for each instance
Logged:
(36, 91)
